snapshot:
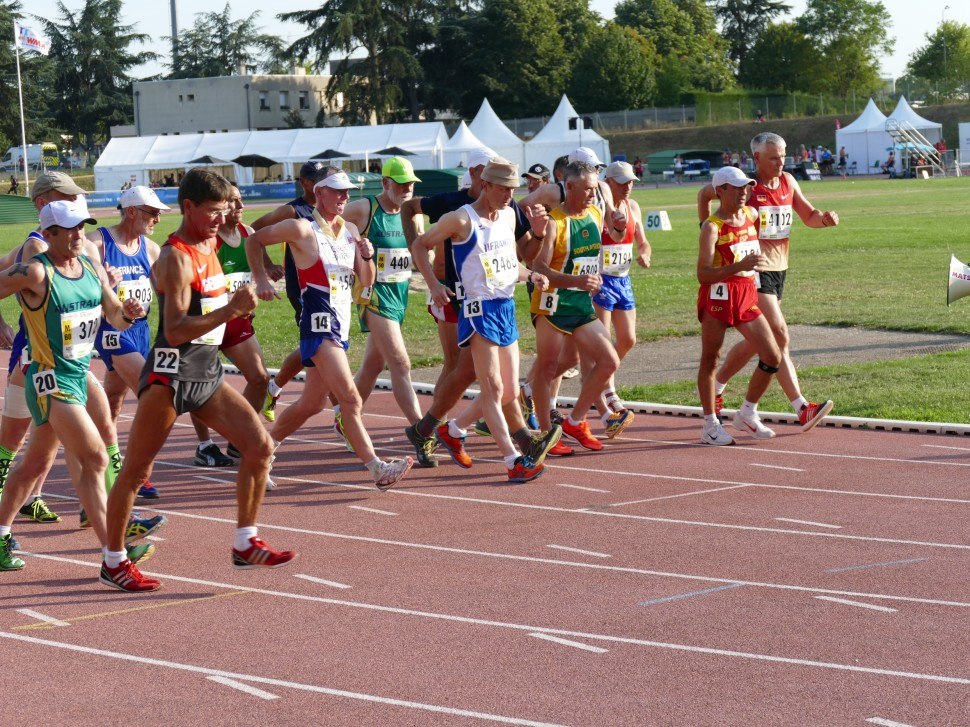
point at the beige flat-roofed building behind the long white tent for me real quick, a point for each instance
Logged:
(243, 102)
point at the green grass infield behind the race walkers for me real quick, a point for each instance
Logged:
(885, 266)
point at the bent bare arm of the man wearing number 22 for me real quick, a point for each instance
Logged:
(173, 274)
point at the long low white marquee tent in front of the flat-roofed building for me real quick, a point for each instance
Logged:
(131, 159)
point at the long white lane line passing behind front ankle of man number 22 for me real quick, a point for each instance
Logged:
(546, 561)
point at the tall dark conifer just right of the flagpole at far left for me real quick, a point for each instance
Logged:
(91, 60)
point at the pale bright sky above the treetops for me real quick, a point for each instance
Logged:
(911, 20)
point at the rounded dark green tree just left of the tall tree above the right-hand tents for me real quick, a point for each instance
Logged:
(783, 59)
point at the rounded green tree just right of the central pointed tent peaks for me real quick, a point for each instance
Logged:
(615, 71)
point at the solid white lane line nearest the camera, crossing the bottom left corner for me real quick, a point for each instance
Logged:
(451, 711)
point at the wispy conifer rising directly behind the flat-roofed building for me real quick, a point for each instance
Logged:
(216, 45)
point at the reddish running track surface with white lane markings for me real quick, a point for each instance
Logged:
(704, 602)
